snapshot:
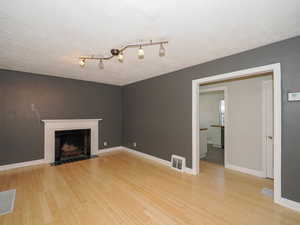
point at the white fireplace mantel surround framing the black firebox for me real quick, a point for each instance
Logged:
(69, 124)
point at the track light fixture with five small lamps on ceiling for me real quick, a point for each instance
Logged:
(119, 53)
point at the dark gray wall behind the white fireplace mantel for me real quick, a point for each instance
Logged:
(21, 132)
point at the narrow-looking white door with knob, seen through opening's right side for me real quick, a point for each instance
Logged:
(268, 127)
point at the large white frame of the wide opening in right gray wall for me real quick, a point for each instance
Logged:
(276, 70)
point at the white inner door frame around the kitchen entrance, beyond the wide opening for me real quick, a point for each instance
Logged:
(226, 119)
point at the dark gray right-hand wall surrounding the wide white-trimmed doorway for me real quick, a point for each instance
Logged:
(157, 113)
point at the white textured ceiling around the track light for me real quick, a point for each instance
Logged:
(48, 36)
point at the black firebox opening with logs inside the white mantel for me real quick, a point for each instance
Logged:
(72, 145)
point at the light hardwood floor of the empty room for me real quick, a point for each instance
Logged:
(121, 188)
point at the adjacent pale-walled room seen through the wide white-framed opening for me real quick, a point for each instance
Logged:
(236, 124)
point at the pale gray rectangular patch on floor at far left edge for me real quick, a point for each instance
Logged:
(7, 199)
